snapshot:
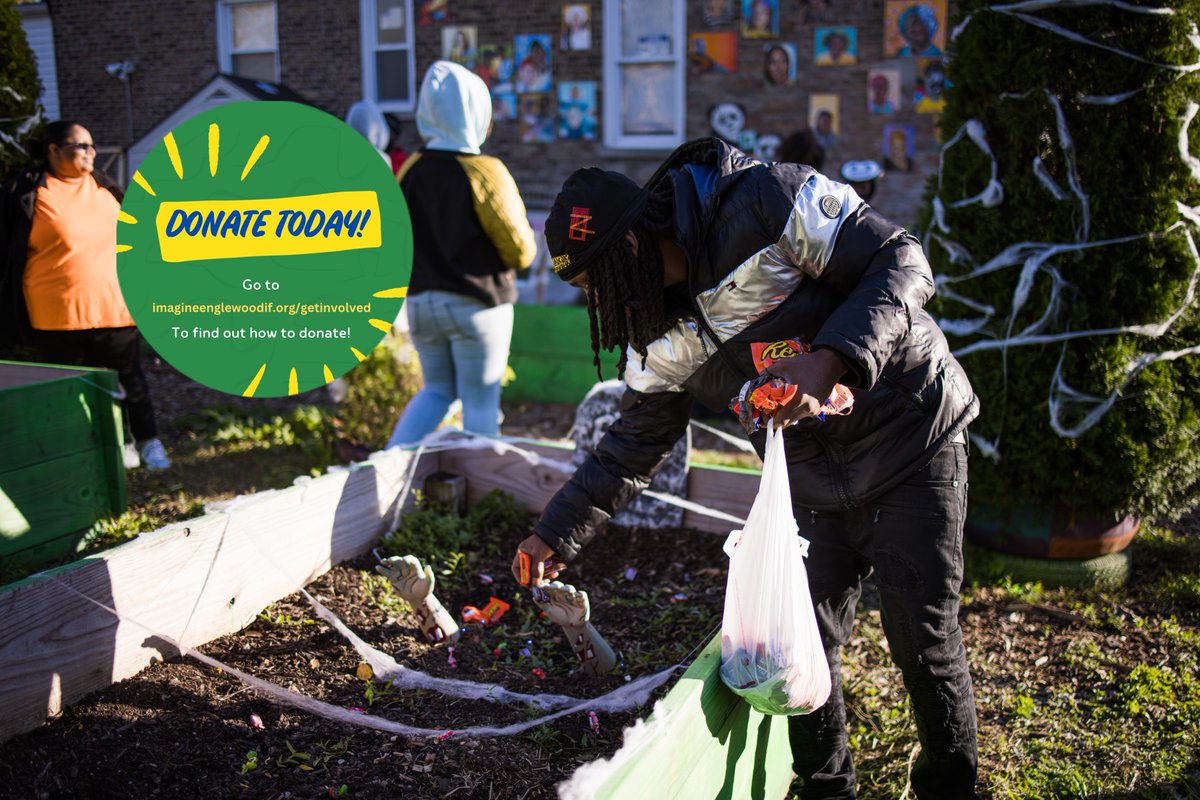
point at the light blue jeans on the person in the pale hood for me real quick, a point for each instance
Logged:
(464, 346)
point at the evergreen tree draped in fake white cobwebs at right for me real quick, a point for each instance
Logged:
(1076, 171)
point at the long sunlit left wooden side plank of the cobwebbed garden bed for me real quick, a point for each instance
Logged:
(193, 582)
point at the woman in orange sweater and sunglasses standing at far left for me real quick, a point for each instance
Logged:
(61, 225)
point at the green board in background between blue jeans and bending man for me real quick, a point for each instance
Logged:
(551, 356)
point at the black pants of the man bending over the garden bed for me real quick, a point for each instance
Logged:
(913, 538)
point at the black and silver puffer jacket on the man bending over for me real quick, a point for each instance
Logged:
(776, 252)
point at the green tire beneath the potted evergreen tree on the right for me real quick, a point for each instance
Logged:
(1106, 573)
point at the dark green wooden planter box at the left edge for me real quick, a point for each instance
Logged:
(62, 465)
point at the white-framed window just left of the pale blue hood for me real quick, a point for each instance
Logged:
(388, 62)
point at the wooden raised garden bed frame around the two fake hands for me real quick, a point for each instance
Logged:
(205, 579)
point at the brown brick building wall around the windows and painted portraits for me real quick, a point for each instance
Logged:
(173, 44)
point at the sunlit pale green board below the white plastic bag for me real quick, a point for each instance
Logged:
(715, 745)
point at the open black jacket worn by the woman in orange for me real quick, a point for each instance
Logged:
(19, 202)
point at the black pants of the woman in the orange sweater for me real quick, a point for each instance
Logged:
(116, 348)
